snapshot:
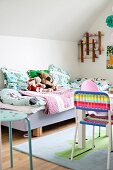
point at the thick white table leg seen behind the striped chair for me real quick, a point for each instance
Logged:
(81, 130)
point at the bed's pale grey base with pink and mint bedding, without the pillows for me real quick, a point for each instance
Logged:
(43, 113)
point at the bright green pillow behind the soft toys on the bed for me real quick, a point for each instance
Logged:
(35, 73)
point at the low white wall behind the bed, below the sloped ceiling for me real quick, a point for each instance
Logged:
(31, 53)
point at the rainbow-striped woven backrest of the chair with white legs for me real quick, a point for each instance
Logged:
(92, 101)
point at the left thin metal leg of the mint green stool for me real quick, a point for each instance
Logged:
(10, 141)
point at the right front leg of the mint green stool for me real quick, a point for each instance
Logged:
(30, 145)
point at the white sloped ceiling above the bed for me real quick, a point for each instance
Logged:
(49, 19)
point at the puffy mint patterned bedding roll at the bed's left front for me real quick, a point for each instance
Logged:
(13, 97)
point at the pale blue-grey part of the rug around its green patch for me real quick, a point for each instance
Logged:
(47, 146)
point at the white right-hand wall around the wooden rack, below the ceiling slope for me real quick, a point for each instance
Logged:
(98, 68)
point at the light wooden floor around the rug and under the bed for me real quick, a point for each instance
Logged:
(21, 161)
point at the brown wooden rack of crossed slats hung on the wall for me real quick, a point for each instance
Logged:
(90, 45)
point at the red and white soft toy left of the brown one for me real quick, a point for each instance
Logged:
(34, 84)
